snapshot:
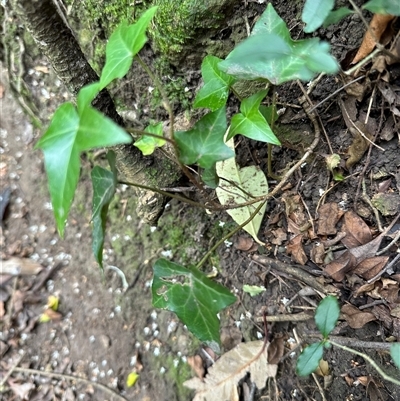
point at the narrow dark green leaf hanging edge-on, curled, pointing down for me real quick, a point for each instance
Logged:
(104, 184)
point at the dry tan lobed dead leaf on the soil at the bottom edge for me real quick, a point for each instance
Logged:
(223, 377)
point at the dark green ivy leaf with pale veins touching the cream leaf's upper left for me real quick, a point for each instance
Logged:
(204, 143)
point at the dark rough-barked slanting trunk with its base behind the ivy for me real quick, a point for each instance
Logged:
(58, 43)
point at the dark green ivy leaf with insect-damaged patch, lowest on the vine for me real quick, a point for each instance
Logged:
(194, 298)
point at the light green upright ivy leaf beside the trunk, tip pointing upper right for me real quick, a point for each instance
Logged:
(125, 42)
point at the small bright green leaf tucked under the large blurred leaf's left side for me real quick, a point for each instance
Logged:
(214, 93)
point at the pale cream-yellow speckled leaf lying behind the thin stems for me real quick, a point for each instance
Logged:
(239, 185)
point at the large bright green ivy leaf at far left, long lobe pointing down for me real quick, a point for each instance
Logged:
(68, 135)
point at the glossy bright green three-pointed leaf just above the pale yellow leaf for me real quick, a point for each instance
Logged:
(251, 123)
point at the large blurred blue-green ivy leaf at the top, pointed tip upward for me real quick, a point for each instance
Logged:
(271, 54)
